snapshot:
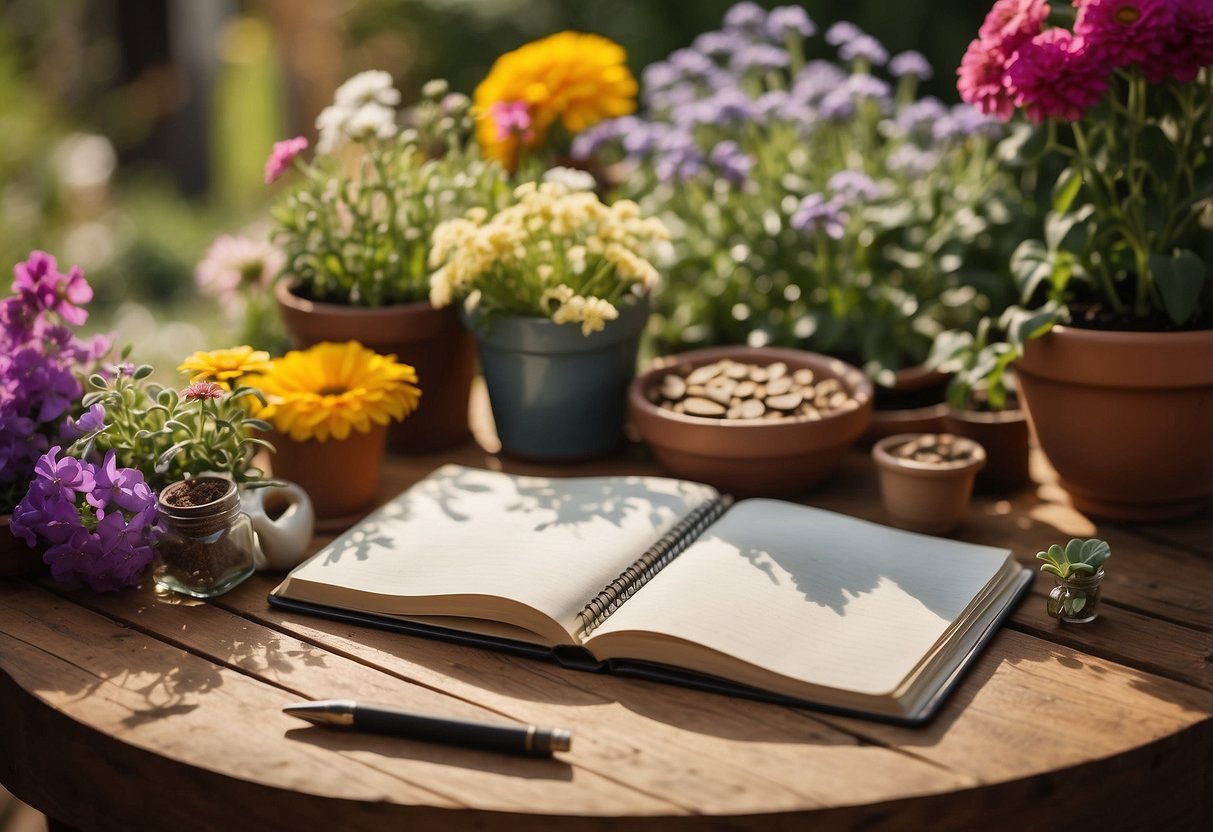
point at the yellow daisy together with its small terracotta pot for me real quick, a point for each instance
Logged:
(329, 408)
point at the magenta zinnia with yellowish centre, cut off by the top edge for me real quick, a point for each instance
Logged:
(1126, 32)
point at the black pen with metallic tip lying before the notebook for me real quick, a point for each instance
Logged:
(528, 740)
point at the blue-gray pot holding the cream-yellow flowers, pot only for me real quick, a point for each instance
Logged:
(559, 396)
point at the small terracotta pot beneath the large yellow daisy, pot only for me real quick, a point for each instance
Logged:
(341, 476)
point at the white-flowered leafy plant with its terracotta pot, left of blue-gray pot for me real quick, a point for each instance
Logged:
(356, 229)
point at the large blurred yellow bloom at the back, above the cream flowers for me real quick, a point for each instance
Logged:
(578, 78)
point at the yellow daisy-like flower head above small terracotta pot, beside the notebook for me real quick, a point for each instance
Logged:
(333, 389)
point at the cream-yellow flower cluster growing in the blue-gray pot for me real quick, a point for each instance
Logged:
(555, 253)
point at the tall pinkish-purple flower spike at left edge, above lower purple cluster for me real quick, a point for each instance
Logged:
(42, 362)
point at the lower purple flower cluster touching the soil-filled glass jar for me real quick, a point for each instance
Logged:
(101, 522)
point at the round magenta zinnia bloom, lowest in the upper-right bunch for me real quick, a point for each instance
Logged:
(1056, 76)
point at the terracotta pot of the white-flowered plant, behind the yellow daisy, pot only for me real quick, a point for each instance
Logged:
(430, 340)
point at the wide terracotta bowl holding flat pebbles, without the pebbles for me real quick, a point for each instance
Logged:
(750, 458)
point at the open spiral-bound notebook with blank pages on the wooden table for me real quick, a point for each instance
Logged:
(670, 580)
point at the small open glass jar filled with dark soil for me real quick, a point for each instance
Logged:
(207, 548)
